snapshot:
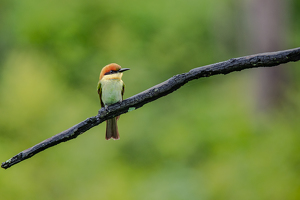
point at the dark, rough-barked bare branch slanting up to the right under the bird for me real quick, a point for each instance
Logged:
(160, 90)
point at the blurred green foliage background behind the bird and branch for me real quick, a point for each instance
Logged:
(223, 137)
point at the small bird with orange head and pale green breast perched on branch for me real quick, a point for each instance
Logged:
(111, 89)
